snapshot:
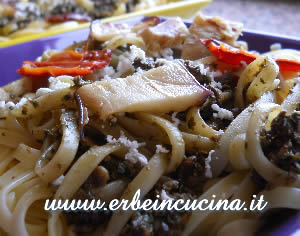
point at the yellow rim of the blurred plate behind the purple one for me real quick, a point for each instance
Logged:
(184, 9)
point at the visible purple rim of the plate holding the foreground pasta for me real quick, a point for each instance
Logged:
(11, 59)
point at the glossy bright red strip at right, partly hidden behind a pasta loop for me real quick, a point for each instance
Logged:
(233, 56)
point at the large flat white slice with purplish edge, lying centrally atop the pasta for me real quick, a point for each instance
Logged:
(167, 88)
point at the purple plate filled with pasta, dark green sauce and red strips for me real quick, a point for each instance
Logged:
(175, 111)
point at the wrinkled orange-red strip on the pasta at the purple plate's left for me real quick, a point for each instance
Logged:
(67, 63)
